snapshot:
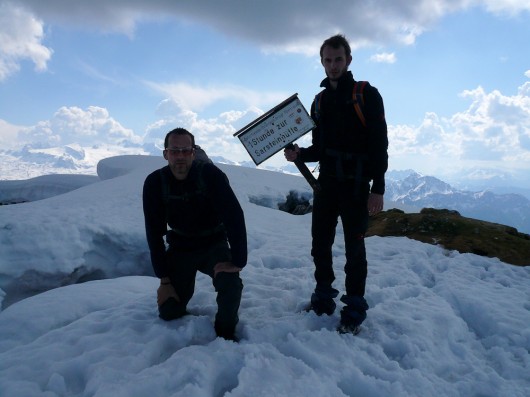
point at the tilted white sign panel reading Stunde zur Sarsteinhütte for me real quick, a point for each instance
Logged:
(276, 129)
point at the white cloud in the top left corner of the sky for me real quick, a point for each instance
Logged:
(21, 36)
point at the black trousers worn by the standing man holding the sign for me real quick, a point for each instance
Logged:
(347, 200)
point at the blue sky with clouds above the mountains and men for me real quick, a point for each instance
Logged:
(454, 74)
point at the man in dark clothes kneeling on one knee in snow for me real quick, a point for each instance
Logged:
(206, 233)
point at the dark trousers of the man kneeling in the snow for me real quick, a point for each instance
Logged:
(229, 287)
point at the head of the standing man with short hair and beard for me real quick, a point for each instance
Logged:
(335, 55)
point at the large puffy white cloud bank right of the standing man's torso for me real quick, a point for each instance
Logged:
(493, 131)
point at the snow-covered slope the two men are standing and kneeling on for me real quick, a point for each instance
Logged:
(440, 323)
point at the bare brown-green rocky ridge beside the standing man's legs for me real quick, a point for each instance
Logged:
(455, 232)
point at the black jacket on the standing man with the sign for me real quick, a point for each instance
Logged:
(340, 133)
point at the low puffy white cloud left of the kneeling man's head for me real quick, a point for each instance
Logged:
(75, 125)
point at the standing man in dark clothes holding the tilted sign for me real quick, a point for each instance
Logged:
(352, 152)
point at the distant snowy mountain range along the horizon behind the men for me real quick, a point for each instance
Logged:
(408, 189)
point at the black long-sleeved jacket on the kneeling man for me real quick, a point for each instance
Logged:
(207, 210)
